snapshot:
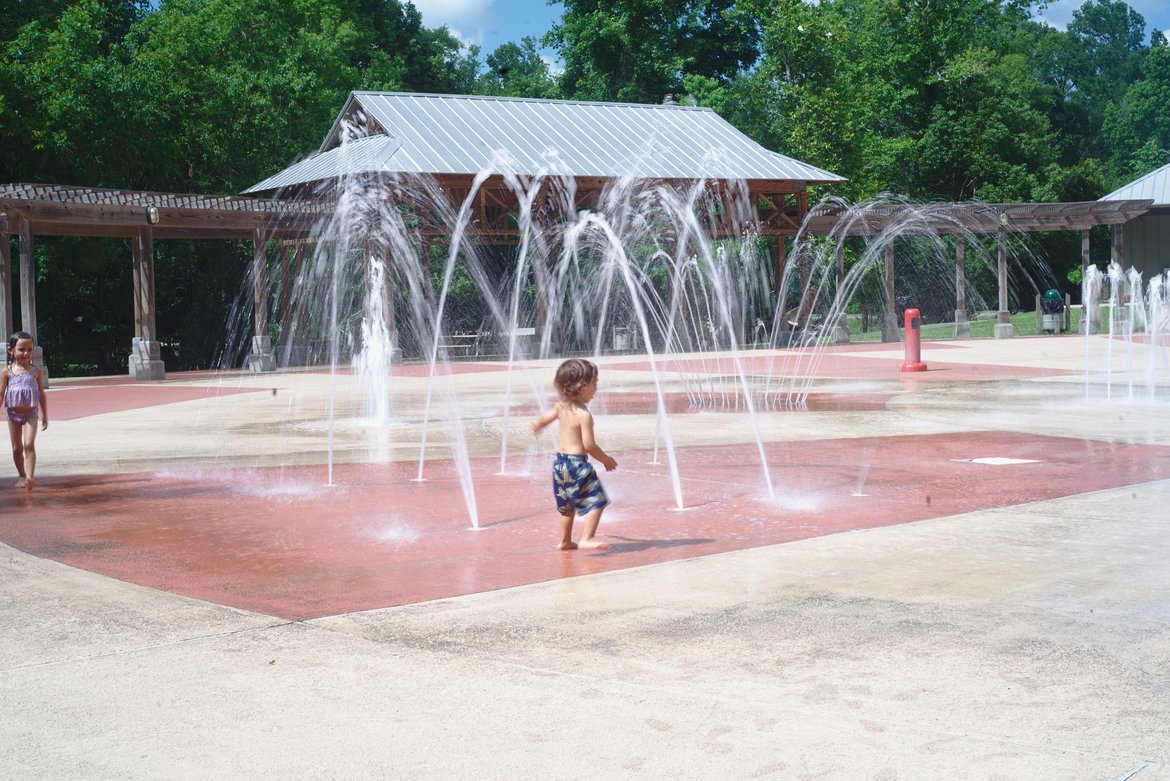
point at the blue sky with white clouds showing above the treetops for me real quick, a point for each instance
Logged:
(488, 24)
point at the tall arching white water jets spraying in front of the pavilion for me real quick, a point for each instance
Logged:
(700, 313)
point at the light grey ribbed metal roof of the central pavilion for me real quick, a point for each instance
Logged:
(417, 134)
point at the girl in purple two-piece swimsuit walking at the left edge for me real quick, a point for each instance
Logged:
(23, 390)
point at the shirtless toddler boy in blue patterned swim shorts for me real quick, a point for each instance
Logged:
(575, 485)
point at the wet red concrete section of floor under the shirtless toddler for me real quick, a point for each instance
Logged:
(280, 542)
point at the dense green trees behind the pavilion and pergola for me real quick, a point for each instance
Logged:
(931, 99)
